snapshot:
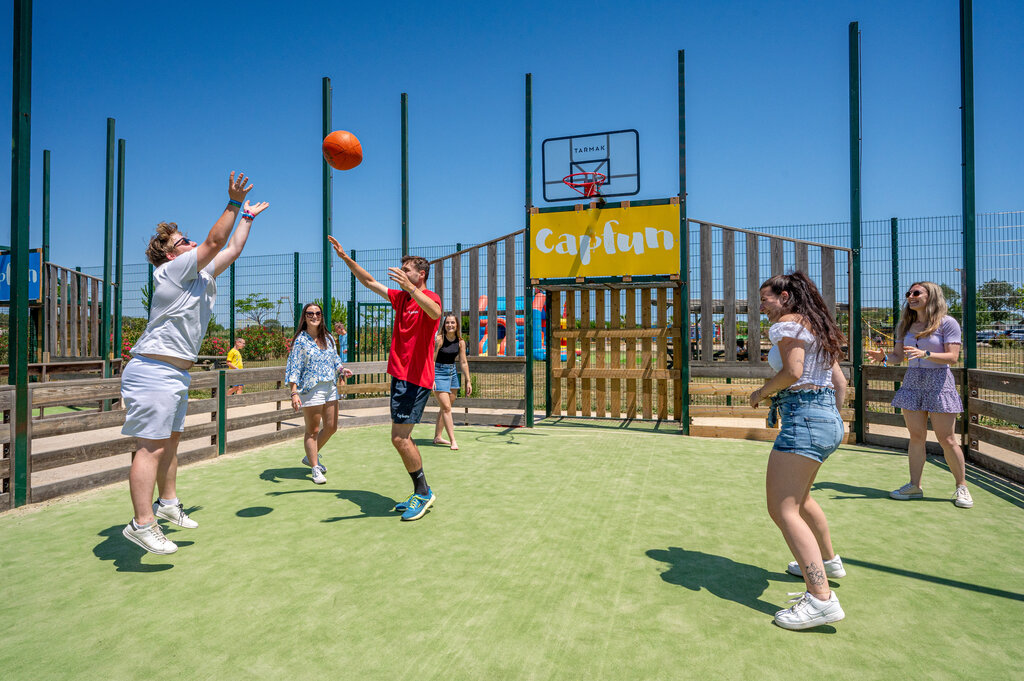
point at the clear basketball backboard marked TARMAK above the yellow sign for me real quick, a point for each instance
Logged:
(616, 155)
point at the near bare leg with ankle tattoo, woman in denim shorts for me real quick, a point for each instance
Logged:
(787, 483)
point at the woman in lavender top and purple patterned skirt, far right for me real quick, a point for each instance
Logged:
(931, 340)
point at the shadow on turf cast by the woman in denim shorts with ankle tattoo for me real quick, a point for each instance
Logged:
(724, 578)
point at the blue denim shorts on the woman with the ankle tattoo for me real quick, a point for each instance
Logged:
(813, 427)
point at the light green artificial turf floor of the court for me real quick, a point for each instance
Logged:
(554, 554)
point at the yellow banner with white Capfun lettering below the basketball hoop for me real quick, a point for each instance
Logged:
(613, 242)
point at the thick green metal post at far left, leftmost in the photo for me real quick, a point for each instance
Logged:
(20, 195)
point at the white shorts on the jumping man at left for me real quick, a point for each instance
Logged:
(156, 398)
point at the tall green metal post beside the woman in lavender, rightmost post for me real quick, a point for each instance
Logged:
(967, 144)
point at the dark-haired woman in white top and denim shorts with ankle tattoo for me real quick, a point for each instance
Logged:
(805, 393)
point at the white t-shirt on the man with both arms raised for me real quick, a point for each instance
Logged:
(180, 309)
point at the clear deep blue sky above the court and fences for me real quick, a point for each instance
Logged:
(199, 92)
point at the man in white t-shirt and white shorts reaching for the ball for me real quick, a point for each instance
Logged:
(155, 384)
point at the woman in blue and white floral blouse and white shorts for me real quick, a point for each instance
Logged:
(312, 374)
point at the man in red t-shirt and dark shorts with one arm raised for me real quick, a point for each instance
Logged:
(411, 363)
